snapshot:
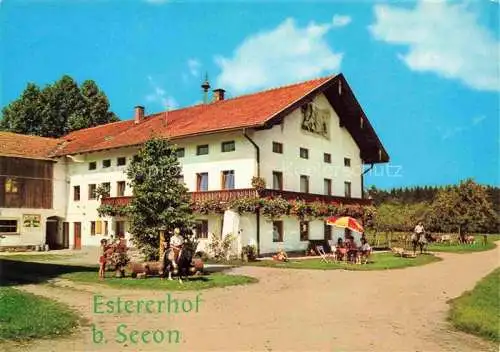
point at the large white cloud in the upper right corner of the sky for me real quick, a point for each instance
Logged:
(444, 38)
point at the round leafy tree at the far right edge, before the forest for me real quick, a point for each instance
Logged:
(464, 208)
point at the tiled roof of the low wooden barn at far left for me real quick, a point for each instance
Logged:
(23, 146)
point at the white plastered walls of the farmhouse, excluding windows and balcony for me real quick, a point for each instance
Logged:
(73, 171)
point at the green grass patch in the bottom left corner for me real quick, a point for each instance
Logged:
(24, 316)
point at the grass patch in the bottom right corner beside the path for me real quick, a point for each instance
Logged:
(478, 311)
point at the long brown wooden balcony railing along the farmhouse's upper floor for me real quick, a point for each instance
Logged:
(230, 194)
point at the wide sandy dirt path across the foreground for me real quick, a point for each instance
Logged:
(298, 310)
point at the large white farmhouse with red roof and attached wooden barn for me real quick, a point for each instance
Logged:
(307, 141)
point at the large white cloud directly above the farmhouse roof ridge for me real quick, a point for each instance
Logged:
(285, 54)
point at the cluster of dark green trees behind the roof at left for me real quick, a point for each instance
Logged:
(57, 109)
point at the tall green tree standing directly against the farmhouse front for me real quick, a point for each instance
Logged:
(160, 201)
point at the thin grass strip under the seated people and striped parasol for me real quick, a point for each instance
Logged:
(378, 261)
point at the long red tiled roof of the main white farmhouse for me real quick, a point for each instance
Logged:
(245, 111)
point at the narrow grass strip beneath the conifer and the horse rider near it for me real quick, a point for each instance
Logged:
(193, 283)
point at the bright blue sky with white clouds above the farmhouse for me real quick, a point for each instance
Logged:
(426, 73)
